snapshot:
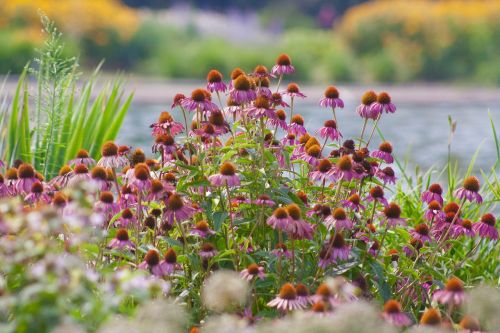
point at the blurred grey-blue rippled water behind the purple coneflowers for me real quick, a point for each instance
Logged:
(418, 133)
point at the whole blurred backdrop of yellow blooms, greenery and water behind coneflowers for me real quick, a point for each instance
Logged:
(439, 58)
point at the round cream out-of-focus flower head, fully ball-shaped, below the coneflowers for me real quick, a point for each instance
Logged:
(224, 290)
